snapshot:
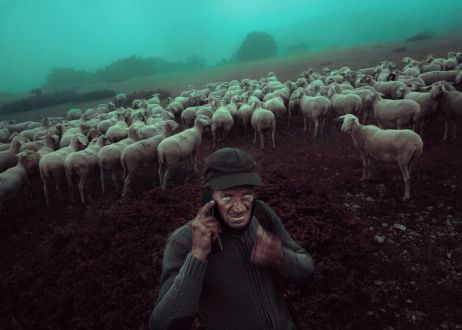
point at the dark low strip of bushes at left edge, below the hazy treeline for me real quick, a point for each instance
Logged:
(40, 100)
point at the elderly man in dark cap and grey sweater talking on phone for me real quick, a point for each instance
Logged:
(236, 287)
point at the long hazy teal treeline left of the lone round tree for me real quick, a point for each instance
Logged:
(122, 69)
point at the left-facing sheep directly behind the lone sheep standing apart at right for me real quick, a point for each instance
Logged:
(398, 112)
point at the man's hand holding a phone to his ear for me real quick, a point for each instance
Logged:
(205, 228)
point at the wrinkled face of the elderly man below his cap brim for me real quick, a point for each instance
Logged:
(235, 205)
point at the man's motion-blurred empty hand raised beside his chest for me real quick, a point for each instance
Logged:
(267, 250)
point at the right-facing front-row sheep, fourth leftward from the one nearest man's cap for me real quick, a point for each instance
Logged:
(83, 163)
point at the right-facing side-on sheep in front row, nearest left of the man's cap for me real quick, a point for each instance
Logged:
(183, 145)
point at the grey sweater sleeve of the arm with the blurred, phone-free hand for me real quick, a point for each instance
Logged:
(297, 265)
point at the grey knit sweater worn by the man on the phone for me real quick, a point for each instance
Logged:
(228, 290)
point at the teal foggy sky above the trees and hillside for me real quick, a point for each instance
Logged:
(36, 35)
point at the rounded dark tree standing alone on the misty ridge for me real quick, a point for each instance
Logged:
(256, 45)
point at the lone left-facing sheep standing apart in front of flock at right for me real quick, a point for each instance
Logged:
(403, 146)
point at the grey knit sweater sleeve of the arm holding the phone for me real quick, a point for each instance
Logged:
(180, 287)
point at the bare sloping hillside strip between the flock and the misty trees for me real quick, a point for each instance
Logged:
(284, 67)
